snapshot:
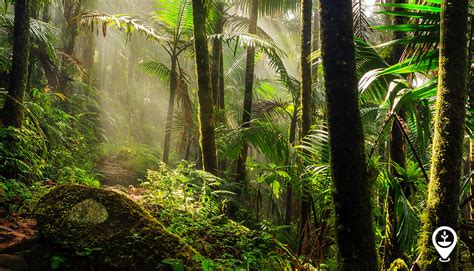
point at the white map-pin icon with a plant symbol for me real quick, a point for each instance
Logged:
(444, 240)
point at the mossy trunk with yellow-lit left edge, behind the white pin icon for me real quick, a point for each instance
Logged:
(443, 189)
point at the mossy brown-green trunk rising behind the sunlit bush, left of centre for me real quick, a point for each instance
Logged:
(206, 108)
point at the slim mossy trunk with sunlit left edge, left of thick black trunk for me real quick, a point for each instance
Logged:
(305, 93)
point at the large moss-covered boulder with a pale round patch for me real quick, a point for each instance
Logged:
(120, 234)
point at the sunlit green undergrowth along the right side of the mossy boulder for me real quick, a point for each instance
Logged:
(191, 205)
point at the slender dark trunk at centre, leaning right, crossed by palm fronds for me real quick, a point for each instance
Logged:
(249, 78)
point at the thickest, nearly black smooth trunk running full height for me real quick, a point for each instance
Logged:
(354, 232)
